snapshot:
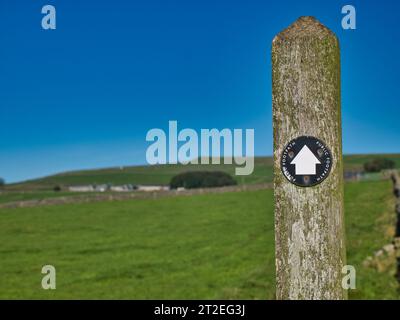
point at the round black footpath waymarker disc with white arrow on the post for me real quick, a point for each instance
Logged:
(306, 161)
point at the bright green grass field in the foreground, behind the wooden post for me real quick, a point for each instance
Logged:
(204, 246)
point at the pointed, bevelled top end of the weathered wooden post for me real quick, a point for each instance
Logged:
(305, 27)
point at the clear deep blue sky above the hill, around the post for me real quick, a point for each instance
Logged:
(85, 95)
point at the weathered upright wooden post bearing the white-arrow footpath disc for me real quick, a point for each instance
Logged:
(308, 171)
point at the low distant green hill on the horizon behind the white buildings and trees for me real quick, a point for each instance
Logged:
(162, 174)
